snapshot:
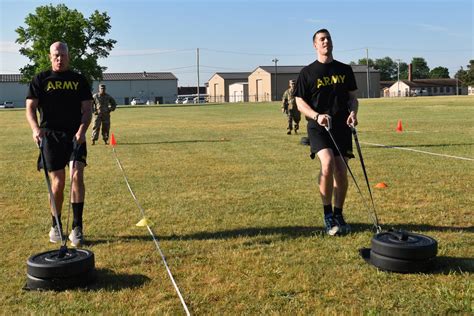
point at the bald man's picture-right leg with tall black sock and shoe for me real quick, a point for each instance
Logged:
(78, 192)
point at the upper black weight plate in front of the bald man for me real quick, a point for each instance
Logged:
(47, 264)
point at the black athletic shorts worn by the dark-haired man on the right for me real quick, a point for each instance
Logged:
(319, 138)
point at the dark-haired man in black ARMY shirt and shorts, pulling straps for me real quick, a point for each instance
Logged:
(326, 94)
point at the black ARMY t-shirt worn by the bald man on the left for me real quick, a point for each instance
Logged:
(59, 97)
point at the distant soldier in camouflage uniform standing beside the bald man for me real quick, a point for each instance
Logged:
(103, 104)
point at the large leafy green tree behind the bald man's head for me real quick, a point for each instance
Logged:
(85, 38)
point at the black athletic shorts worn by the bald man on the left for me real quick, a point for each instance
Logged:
(59, 148)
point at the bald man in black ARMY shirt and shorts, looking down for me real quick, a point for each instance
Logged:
(64, 101)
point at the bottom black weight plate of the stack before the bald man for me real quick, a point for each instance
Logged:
(58, 284)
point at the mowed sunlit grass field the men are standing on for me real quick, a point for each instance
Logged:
(236, 209)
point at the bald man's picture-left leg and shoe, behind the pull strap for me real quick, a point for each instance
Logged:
(57, 186)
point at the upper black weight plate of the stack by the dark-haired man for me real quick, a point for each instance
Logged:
(415, 247)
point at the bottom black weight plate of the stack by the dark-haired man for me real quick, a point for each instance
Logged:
(400, 265)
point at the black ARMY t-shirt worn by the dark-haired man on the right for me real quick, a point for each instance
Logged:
(325, 87)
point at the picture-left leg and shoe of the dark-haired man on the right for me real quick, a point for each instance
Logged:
(326, 188)
